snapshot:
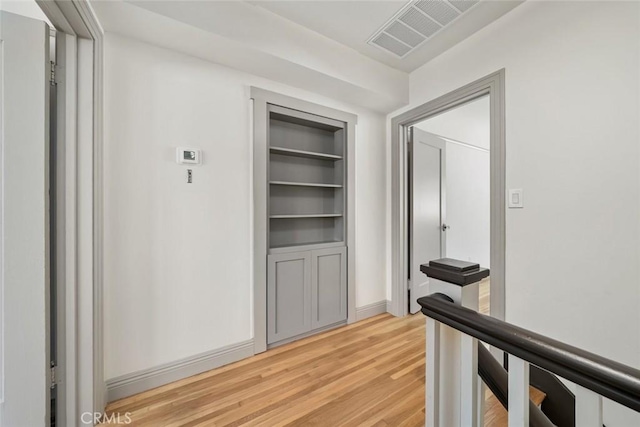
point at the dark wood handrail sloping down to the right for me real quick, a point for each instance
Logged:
(606, 377)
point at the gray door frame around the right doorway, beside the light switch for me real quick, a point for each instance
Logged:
(494, 86)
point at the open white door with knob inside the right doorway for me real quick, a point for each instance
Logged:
(426, 210)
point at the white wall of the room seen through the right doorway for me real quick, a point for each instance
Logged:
(467, 179)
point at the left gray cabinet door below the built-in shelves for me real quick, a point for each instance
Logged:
(288, 295)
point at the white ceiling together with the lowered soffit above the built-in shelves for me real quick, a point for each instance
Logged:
(321, 46)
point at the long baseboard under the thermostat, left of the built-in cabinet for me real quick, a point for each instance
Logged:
(137, 382)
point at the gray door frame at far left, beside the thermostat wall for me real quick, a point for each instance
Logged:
(78, 159)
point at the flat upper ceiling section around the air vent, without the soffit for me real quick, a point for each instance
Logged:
(353, 22)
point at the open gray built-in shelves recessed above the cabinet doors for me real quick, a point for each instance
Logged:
(306, 179)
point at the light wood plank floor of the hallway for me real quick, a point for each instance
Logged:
(367, 374)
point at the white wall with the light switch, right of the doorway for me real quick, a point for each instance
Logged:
(573, 145)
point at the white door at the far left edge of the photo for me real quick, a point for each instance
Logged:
(24, 275)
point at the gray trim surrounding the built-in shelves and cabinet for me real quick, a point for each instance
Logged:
(299, 112)
